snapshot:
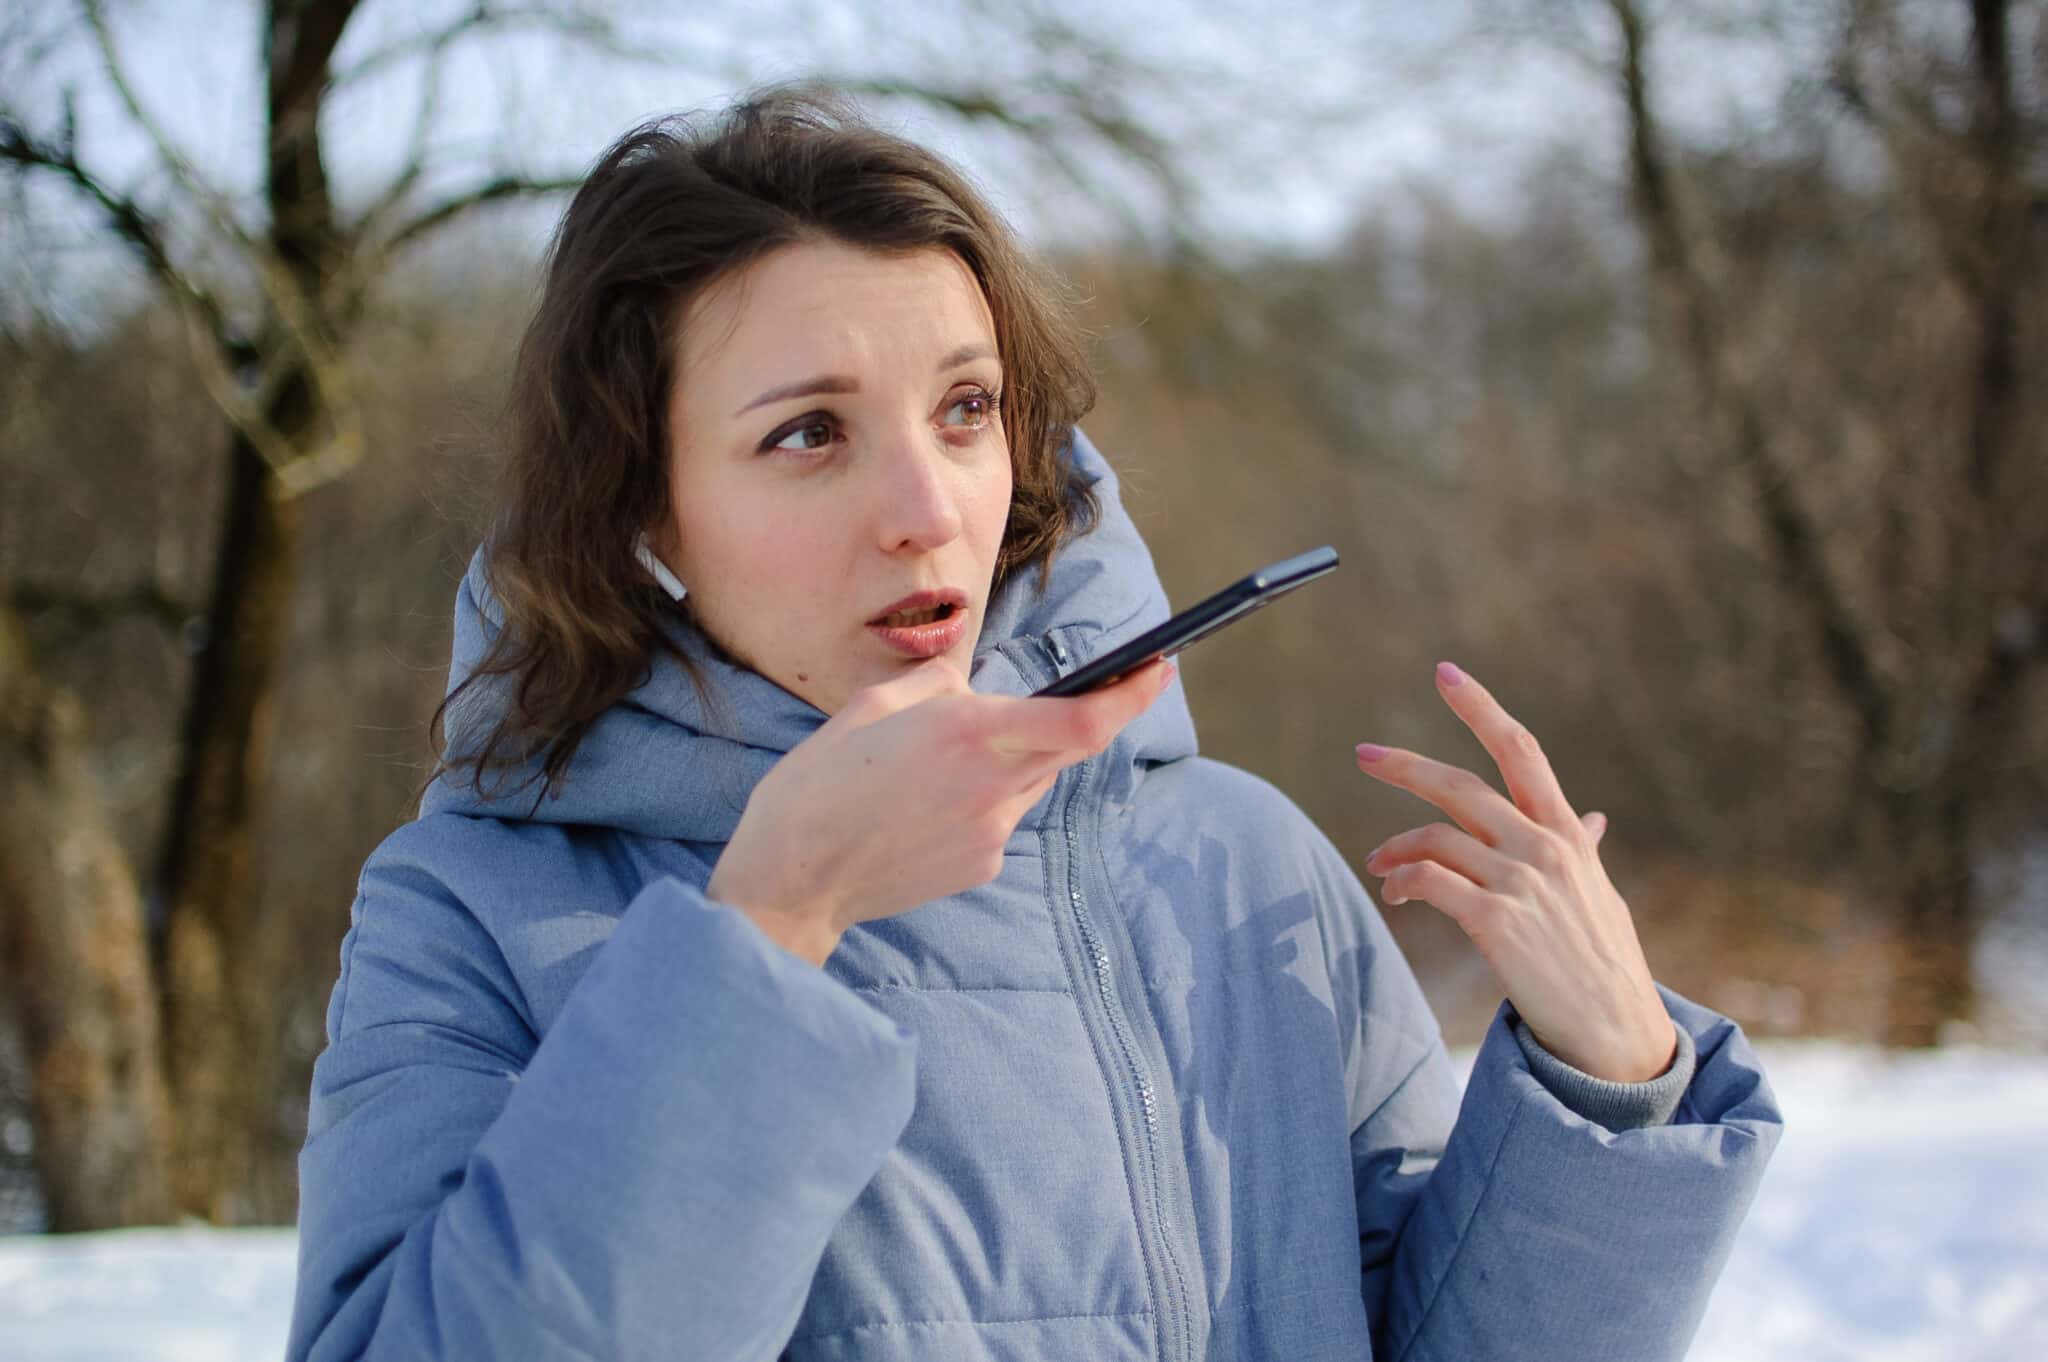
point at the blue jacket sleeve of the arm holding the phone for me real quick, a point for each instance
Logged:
(652, 1179)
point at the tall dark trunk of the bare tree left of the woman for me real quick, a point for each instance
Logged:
(216, 1023)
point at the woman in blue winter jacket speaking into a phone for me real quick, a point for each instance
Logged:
(820, 994)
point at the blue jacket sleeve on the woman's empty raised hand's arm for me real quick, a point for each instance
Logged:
(1537, 1234)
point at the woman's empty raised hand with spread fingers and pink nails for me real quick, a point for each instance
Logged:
(1525, 882)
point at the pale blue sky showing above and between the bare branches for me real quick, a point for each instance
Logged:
(1293, 118)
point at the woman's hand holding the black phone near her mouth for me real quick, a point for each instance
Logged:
(906, 796)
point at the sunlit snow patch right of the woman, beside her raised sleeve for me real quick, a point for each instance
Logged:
(1904, 1218)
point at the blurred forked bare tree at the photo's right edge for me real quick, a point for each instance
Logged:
(1936, 675)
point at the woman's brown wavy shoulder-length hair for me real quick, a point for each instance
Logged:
(673, 208)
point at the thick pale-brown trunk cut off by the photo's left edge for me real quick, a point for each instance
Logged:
(75, 966)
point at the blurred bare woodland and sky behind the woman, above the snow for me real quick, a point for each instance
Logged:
(1678, 388)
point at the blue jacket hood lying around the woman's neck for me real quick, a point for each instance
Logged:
(667, 765)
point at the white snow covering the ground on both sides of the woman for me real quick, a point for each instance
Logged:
(1906, 1220)
